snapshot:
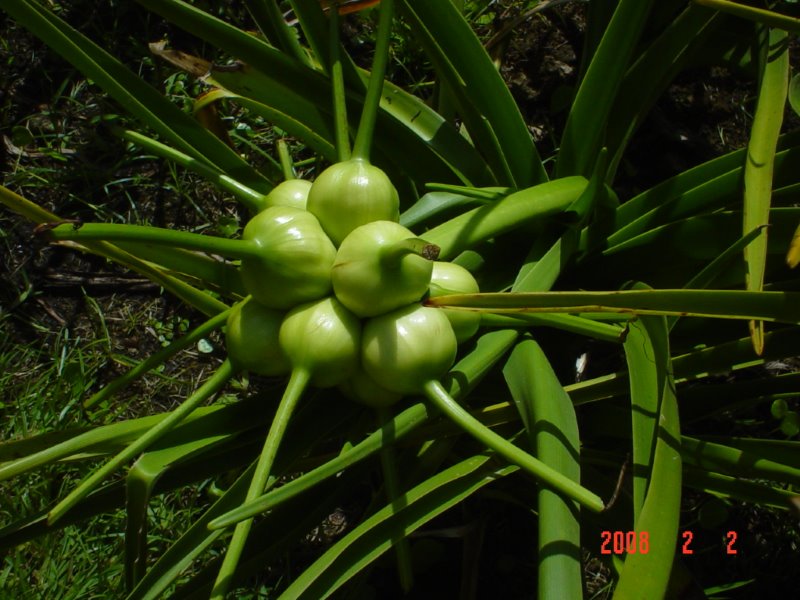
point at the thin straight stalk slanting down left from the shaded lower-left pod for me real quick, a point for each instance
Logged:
(212, 385)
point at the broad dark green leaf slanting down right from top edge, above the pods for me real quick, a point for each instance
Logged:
(490, 113)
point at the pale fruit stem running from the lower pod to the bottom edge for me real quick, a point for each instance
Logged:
(294, 390)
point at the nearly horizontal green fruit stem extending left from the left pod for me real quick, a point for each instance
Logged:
(115, 232)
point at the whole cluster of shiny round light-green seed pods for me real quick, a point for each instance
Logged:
(336, 289)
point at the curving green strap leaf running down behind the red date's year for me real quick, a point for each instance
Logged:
(646, 574)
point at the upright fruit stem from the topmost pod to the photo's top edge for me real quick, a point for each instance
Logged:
(366, 126)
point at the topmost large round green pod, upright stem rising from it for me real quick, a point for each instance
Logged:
(352, 193)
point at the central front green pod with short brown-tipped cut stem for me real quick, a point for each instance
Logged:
(379, 267)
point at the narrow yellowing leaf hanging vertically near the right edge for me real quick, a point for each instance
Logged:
(760, 164)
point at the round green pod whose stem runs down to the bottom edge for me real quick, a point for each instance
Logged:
(322, 337)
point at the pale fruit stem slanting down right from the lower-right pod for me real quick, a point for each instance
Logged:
(436, 393)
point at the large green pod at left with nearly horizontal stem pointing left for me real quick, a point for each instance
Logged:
(294, 261)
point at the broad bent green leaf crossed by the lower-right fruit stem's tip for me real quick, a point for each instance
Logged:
(550, 421)
